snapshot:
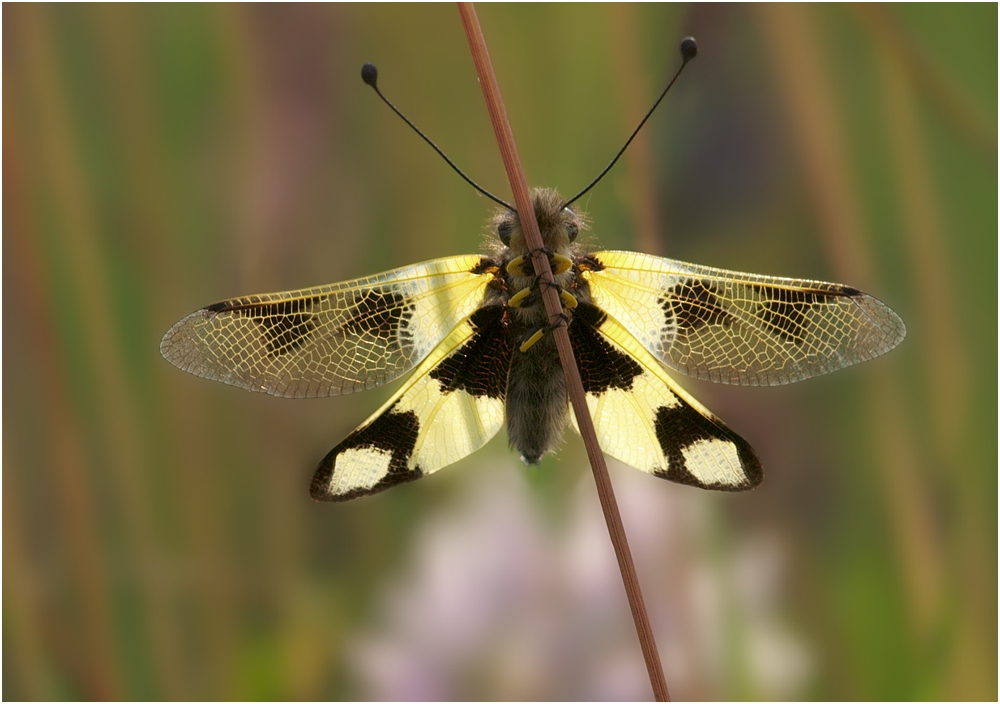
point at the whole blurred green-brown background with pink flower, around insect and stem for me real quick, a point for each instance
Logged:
(158, 537)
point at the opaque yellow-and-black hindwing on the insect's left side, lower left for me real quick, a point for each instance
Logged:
(452, 405)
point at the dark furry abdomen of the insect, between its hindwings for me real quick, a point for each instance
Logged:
(536, 402)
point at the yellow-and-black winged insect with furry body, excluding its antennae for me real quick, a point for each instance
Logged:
(473, 327)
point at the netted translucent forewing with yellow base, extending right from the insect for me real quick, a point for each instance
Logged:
(738, 328)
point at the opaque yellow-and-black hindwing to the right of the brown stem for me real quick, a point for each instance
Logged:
(645, 420)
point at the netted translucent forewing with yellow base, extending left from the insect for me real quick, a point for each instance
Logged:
(333, 339)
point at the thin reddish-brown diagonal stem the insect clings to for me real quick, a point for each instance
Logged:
(522, 198)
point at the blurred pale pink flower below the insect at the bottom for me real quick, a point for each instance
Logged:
(498, 603)
